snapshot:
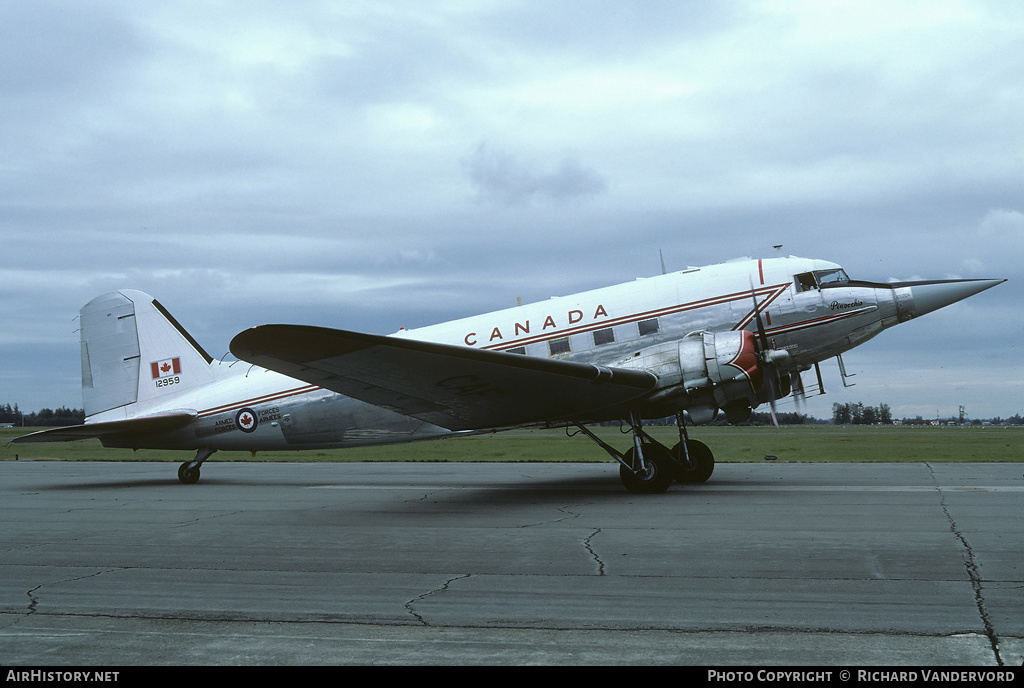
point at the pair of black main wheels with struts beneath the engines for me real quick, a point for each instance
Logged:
(650, 467)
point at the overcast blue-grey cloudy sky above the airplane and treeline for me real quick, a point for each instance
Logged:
(376, 165)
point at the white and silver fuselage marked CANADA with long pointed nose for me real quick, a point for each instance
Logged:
(807, 311)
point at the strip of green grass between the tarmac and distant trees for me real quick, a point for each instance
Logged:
(790, 444)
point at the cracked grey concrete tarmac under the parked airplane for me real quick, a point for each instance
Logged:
(422, 564)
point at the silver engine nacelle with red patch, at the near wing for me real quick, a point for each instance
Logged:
(702, 373)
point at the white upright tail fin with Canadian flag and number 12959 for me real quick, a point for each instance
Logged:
(135, 353)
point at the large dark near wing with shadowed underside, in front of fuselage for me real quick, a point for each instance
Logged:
(454, 388)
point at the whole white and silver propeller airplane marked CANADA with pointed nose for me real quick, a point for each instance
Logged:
(692, 345)
